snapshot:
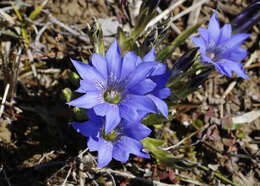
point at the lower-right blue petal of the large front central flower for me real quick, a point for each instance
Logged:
(142, 103)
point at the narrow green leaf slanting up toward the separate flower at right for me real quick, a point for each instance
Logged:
(167, 51)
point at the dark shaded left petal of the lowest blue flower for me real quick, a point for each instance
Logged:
(87, 128)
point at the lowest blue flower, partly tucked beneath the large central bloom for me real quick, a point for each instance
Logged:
(118, 144)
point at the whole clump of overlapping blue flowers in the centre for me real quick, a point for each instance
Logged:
(119, 92)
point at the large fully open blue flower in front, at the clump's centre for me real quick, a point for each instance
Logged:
(116, 87)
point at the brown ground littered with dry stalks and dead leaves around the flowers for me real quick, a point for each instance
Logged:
(38, 146)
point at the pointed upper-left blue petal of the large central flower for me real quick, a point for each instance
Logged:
(87, 72)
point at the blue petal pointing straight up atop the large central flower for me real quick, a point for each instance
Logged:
(114, 60)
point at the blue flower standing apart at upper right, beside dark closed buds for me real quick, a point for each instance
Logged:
(221, 49)
